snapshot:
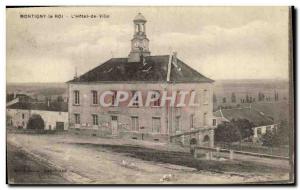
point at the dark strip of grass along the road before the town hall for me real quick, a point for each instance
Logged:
(184, 159)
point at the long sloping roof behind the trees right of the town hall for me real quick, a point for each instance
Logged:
(250, 114)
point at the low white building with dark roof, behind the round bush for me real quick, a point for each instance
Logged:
(54, 114)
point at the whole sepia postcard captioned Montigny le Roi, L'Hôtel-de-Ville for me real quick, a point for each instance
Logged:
(149, 95)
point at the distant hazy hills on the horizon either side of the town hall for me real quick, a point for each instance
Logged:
(222, 88)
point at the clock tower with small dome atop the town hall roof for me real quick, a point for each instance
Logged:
(140, 42)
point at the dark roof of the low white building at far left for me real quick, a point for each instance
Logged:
(53, 106)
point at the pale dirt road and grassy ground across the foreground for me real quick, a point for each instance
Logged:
(81, 159)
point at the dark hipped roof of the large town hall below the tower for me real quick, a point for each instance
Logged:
(154, 69)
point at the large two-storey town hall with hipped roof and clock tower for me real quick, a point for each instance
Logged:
(141, 72)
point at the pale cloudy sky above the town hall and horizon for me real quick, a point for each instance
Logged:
(219, 42)
